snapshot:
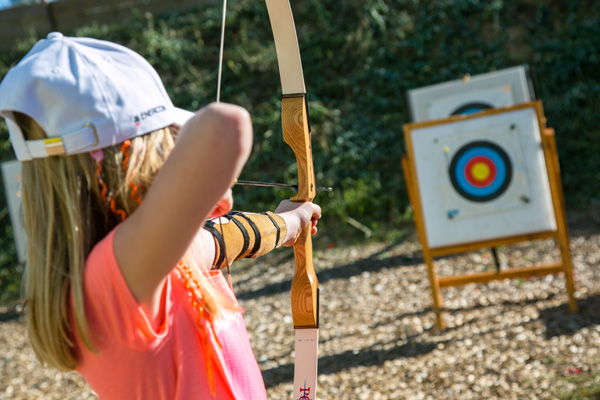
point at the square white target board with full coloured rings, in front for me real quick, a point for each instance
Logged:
(482, 177)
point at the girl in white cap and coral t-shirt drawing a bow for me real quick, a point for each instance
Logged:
(117, 184)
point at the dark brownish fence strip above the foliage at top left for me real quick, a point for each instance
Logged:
(66, 15)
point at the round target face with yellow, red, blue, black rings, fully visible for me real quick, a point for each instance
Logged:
(480, 171)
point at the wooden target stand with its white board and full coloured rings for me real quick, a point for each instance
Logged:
(482, 181)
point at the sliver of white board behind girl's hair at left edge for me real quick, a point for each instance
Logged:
(11, 174)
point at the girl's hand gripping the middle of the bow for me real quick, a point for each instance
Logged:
(298, 215)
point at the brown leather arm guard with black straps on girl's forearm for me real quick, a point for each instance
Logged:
(246, 235)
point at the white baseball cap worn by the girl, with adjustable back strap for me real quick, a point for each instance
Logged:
(86, 94)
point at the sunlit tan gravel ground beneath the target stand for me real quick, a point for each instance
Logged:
(511, 339)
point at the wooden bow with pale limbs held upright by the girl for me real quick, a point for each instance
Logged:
(296, 133)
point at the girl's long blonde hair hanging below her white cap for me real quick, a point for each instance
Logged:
(65, 215)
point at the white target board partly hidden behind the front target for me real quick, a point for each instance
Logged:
(471, 94)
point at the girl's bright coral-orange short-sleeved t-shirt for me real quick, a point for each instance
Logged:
(136, 361)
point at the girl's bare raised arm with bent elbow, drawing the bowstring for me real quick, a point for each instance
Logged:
(210, 152)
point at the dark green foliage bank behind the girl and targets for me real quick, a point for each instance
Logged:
(359, 59)
